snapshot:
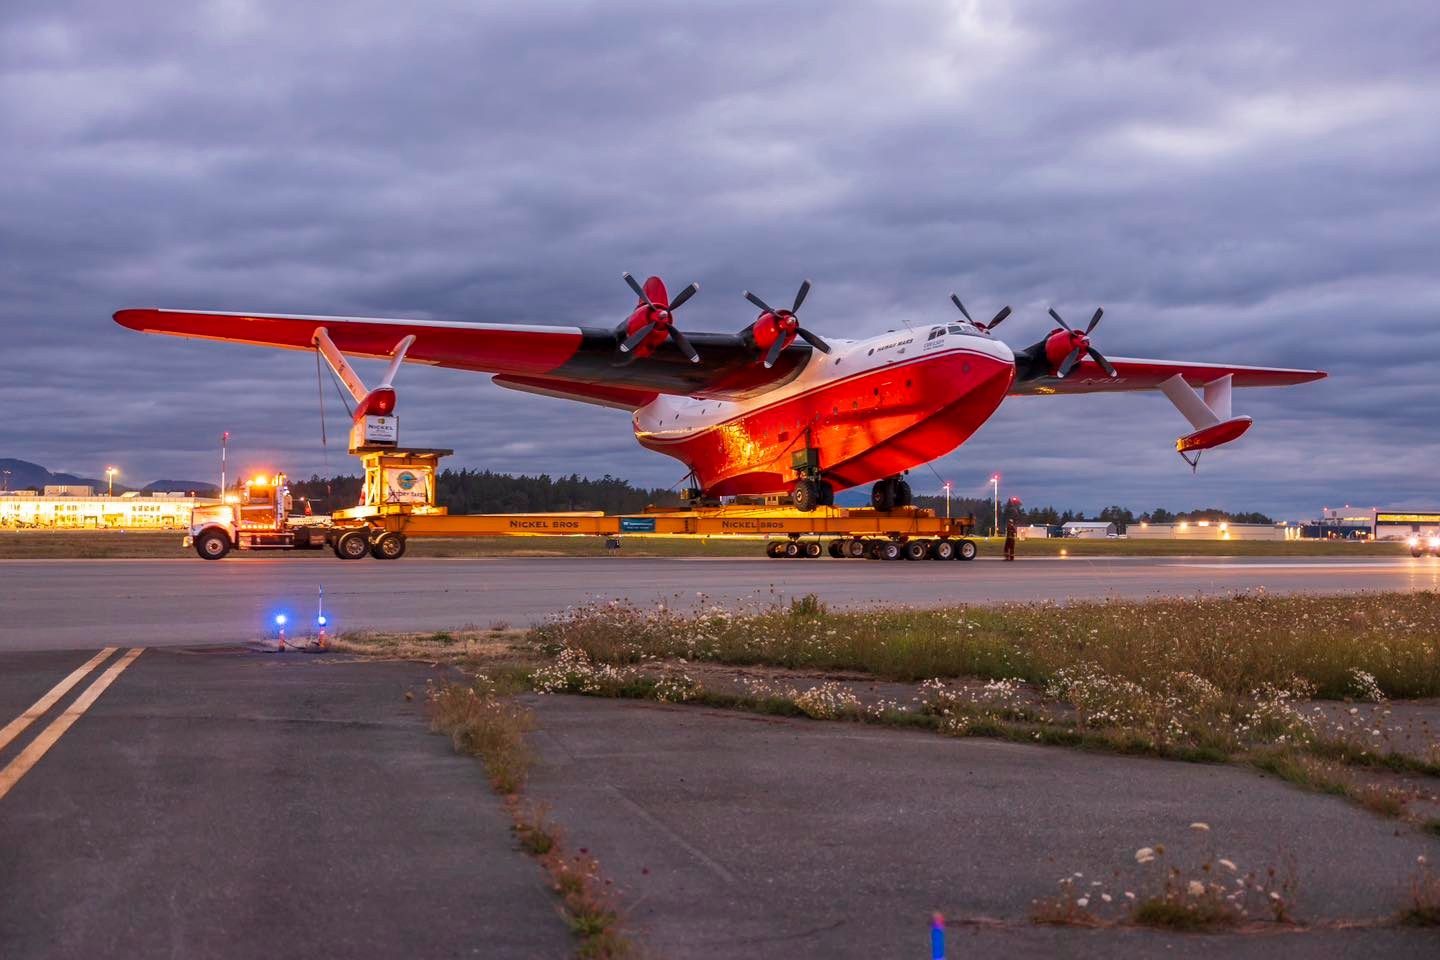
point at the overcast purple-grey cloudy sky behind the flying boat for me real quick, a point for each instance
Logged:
(1235, 182)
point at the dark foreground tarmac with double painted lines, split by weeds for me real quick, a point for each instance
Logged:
(217, 802)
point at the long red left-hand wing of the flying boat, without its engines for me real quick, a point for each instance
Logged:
(581, 363)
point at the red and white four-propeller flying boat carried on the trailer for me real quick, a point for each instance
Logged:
(773, 408)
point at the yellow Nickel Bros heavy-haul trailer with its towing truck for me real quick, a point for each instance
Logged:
(400, 504)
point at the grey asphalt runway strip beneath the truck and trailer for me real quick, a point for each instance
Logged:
(76, 604)
